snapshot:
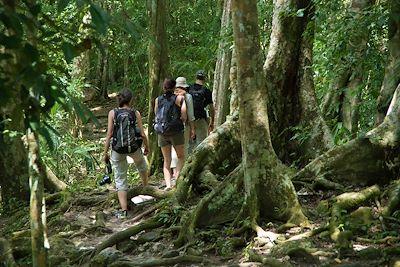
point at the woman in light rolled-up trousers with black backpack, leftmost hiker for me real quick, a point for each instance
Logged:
(125, 130)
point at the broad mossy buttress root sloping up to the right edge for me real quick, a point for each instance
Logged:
(362, 160)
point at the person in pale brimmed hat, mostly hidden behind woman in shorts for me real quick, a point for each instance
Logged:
(189, 132)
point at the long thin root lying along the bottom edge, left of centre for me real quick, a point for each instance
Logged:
(165, 261)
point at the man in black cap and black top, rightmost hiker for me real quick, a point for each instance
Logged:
(202, 98)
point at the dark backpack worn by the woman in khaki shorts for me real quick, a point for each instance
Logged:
(168, 117)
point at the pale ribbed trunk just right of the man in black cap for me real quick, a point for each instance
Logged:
(222, 68)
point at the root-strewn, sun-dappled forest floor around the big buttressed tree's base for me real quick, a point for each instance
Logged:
(84, 231)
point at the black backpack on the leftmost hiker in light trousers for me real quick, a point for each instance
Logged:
(126, 136)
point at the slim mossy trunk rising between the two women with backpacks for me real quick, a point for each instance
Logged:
(158, 65)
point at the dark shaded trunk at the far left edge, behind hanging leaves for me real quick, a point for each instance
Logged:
(14, 174)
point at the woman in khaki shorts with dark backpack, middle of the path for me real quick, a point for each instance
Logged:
(170, 110)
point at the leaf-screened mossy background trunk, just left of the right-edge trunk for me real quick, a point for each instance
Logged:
(345, 91)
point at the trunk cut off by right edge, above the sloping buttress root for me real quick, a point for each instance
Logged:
(392, 72)
